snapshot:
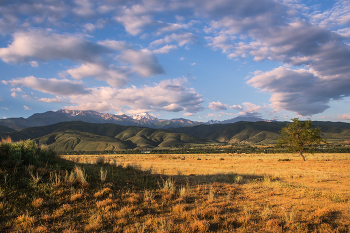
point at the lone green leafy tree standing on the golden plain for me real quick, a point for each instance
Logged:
(300, 136)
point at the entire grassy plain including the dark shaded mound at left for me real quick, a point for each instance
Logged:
(41, 192)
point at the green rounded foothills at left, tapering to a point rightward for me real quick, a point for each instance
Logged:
(82, 136)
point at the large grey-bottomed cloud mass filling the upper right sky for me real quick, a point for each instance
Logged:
(321, 54)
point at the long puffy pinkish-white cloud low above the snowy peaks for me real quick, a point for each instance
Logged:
(168, 95)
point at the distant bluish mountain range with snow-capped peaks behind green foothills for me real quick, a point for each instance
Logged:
(143, 120)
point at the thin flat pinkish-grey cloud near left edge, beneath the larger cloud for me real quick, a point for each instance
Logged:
(52, 86)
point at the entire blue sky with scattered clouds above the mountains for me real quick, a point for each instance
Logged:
(195, 59)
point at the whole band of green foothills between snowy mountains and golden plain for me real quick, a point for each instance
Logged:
(83, 136)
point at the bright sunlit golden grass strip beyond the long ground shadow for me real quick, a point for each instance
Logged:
(327, 171)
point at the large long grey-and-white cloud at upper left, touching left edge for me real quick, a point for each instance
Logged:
(42, 45)
